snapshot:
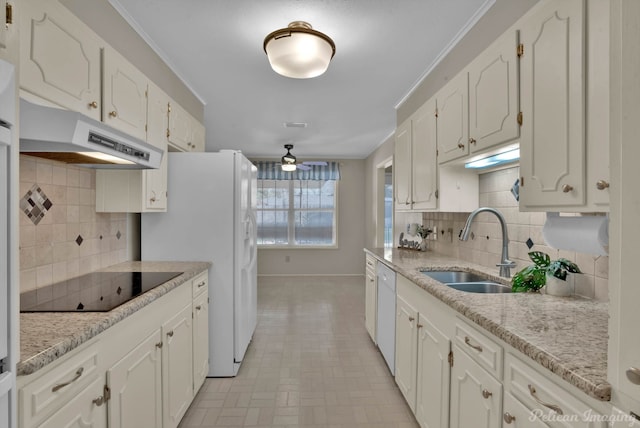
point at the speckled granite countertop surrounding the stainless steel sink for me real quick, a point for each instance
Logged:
(555, 332)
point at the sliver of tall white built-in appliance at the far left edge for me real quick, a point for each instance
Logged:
(7, 249)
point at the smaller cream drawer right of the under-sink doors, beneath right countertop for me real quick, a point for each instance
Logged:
(481, 348)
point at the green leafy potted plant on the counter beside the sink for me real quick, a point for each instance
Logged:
(555, 275)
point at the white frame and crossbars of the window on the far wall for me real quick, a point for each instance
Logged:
(291, 210)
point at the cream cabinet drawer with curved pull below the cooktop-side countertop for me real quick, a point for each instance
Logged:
(51, 391)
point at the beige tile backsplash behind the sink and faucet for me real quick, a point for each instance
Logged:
(525, 232)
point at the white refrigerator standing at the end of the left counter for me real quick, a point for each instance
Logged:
(211, 217)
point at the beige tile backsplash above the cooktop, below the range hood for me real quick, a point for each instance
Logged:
(61, 235)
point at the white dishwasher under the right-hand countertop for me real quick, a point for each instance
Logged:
(386, 321)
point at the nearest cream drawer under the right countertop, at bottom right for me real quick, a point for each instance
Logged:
(540, 395)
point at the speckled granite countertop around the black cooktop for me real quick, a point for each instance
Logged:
(47, 336)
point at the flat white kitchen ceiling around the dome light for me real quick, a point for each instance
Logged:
(383, 49)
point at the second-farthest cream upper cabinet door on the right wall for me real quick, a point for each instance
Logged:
(423, 157)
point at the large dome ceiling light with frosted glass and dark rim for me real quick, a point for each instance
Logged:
(299, 51)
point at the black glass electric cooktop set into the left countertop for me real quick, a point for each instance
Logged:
(93, 292)
